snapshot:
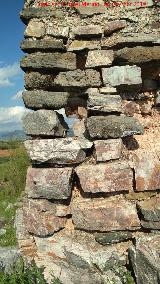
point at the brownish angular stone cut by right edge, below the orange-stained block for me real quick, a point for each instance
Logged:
(150, 209)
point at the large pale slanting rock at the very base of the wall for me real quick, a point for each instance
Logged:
(75, 257)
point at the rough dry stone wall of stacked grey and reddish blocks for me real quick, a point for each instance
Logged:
(91, 211)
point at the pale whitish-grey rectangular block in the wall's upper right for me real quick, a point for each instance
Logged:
(126, 77)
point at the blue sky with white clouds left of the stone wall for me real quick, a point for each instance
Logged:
(11, 76)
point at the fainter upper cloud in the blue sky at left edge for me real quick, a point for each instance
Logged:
(7, 73)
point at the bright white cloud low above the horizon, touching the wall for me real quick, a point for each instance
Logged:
(12, 114)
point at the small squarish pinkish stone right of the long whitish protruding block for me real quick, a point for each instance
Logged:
(109, 149)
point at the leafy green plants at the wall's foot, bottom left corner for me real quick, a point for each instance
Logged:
(30, 275)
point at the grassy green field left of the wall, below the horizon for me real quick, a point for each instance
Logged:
(12, 183)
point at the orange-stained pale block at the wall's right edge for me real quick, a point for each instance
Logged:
(147, 172)
